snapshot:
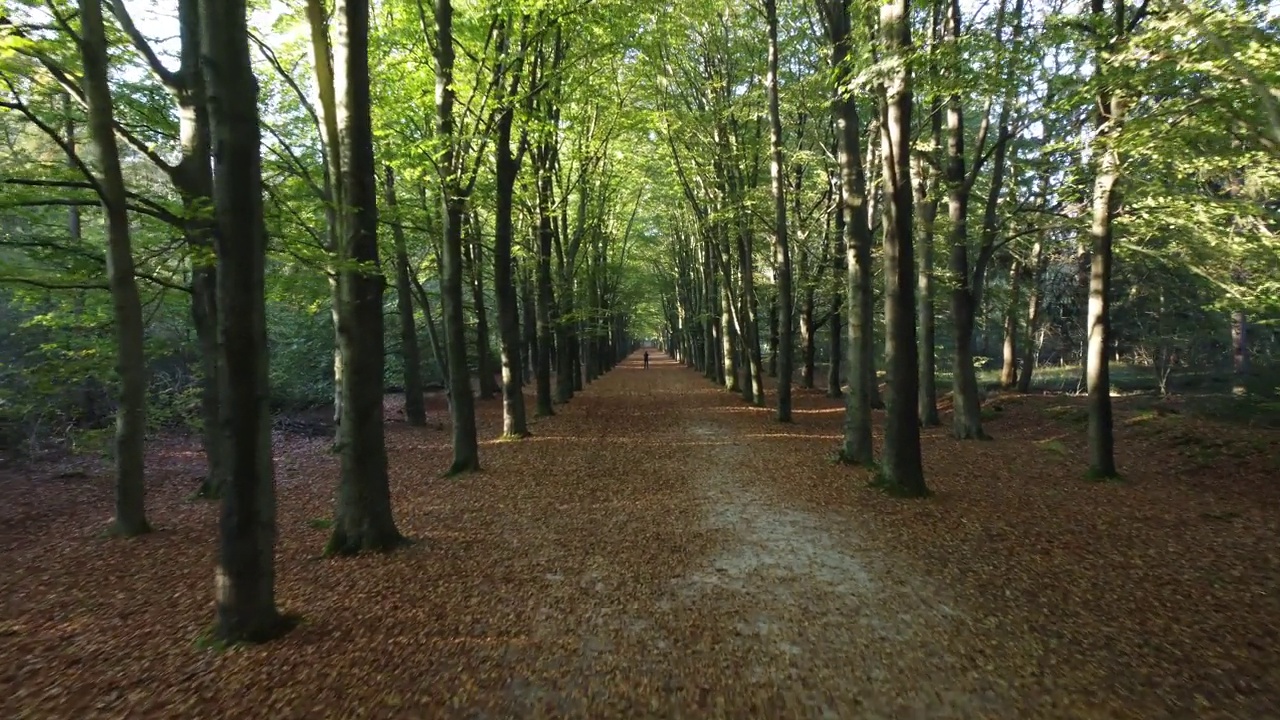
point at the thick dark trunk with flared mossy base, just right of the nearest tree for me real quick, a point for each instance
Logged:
(363, 517)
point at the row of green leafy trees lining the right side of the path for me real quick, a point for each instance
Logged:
(1032, 144)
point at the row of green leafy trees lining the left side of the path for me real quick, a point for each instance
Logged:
(518, 206)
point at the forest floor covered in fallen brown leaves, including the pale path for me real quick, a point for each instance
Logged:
(661, 550)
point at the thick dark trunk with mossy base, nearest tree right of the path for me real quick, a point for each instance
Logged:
(900, 467)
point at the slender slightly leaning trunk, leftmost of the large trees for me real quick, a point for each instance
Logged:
(126, 304)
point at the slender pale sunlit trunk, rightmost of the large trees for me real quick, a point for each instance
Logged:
(1107, 199)
